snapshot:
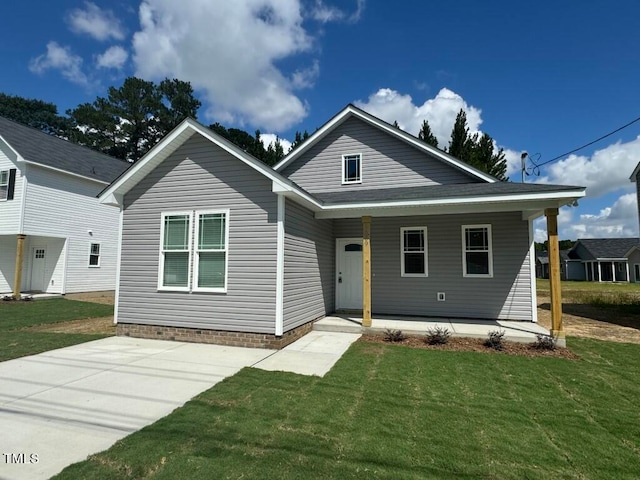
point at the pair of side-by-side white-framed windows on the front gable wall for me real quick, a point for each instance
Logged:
(194, 262)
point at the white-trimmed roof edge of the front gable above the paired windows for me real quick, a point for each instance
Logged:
(178, 136)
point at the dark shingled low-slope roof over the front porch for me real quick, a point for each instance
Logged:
(435, 192)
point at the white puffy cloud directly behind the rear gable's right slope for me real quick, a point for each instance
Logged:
(440, 112)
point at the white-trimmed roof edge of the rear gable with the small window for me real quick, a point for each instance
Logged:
(351, 111)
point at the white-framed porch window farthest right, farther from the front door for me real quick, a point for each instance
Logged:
(477, 255)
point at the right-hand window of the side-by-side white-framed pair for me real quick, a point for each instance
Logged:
(211, 251)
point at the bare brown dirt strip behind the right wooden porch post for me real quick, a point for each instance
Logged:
(579, 321)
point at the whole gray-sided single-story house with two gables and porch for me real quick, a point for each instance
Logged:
(218, 247)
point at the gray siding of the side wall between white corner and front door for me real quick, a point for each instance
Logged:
(309, 266)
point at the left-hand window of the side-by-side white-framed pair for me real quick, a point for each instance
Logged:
(175, 251)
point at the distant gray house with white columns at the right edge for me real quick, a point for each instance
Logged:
(606, 260)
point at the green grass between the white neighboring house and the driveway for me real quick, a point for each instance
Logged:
(15, 317)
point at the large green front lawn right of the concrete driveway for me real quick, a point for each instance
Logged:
(393, 412)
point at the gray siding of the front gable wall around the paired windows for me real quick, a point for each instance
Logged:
(202, 176)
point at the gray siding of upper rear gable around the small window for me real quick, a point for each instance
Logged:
(387, 162)
